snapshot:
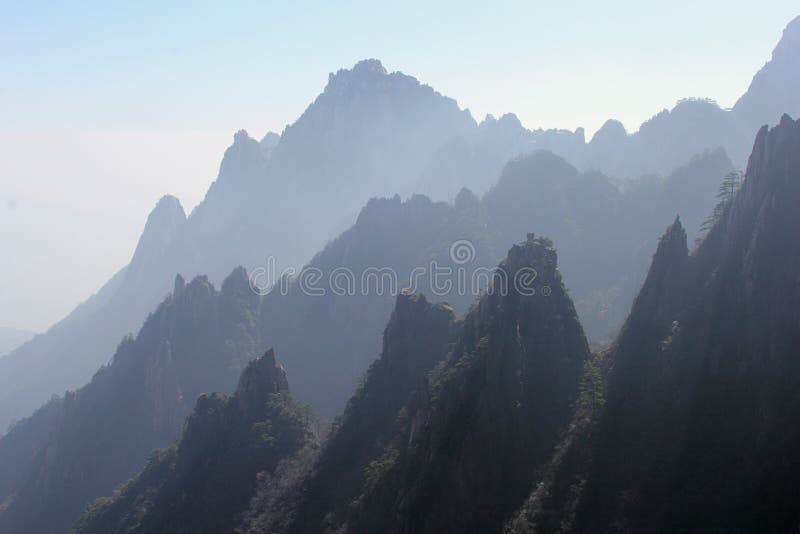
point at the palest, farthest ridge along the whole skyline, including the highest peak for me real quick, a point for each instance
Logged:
(370, 132)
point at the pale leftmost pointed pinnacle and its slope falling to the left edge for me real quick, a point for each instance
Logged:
(69, 353)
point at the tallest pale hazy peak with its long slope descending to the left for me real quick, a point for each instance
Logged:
(369, 133)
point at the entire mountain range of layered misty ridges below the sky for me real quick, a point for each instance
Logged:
(595, 378)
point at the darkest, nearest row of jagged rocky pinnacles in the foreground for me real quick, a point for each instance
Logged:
(503, 419)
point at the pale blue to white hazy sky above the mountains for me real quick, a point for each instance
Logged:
(104, 109)
